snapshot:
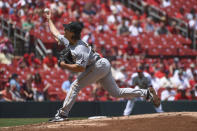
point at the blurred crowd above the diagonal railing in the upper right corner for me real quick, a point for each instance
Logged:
(183, 12)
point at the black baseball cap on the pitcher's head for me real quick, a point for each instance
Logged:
(75, 27)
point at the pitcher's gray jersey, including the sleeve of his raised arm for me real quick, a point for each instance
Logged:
(82, 53)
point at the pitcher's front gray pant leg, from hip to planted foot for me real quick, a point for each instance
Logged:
(91, 75)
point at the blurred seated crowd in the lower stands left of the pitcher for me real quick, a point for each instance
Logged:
(33, 88)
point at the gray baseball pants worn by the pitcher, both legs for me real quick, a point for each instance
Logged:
(101, 72)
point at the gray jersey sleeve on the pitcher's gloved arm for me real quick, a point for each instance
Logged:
(82, 56)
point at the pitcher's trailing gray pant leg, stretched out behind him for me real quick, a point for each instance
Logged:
(110, 85)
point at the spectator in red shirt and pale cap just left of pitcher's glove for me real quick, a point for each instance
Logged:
(50, 61)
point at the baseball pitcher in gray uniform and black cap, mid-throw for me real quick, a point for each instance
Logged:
(92, 67)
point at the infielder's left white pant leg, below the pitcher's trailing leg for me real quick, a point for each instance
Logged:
(129, 107)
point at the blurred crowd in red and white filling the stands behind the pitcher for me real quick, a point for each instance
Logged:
(174, 79)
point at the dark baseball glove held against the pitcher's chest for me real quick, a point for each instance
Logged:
(66, 56)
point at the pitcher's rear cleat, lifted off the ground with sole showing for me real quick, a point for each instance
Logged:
(152, 96)
